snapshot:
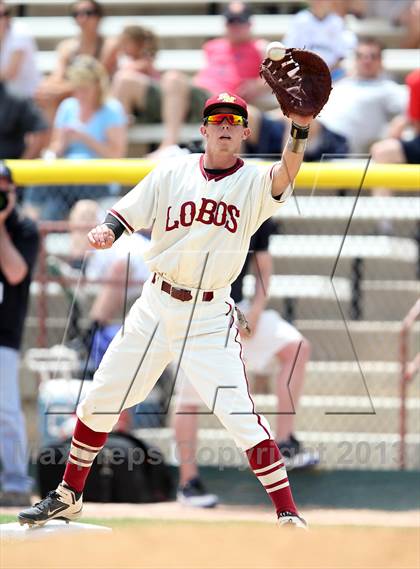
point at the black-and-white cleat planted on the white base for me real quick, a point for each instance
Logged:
(60, 504)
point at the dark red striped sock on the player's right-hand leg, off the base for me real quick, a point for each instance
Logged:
(267, 463)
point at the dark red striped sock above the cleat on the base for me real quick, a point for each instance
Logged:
(85, 445)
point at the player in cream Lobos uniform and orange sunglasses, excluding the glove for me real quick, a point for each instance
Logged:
(203, 210)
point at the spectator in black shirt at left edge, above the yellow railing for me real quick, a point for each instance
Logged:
(22, 126)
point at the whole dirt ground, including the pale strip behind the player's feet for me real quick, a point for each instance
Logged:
(168, 536)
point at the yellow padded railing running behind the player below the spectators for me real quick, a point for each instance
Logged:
(346, 174)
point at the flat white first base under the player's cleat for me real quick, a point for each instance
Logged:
(16, 532)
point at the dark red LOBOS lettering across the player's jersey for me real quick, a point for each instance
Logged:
(208, 212)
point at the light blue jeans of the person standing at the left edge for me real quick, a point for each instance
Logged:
(13, 443)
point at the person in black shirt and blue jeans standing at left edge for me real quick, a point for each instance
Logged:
(18, 251)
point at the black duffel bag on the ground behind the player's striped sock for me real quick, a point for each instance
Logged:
(126, 470)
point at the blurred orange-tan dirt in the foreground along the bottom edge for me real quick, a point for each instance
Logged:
(222, 545)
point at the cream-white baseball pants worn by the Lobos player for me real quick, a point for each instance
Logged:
(154, 335)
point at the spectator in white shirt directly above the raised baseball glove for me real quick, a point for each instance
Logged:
(322, 30)
